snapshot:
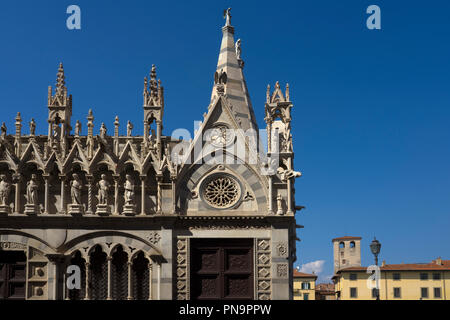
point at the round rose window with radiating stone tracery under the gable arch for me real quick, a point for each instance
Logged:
(221, 191)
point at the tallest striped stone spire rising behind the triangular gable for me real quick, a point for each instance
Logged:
(229, 77)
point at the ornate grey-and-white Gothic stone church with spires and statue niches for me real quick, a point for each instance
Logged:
(143, 216)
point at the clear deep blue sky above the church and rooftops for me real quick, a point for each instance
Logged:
(371, 107)
